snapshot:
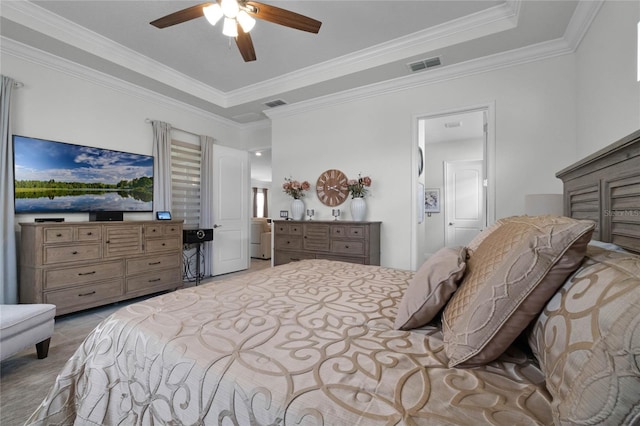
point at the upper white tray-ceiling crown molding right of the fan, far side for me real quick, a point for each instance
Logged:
(493, 20)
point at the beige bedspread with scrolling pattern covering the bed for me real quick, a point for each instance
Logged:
(307, 343)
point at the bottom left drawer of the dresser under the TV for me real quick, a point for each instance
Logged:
(86, 295)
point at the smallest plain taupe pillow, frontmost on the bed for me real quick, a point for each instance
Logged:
(431, 287)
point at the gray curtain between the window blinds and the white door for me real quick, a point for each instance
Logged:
(206, 198)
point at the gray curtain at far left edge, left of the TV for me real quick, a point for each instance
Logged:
(8, 257)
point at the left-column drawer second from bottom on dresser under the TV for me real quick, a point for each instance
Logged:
(64, 277)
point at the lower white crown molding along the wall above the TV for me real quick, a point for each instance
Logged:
(36, 56)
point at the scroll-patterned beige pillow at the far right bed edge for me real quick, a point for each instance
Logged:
(587, 340)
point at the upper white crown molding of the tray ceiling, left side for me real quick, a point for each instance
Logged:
(59, 28)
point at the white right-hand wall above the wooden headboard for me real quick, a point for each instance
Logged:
(608, 101)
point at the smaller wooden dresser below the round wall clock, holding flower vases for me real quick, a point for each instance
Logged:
(355, 242)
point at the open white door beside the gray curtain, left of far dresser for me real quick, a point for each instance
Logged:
(230, 210)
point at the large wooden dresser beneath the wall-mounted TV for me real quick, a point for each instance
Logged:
(79, 265)
